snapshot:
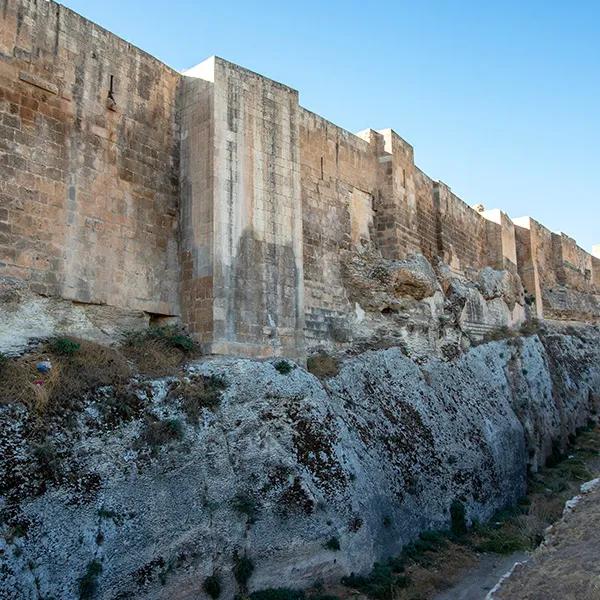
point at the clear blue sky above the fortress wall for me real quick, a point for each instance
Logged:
(501, 100)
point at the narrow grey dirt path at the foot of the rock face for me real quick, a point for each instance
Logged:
(478, 581)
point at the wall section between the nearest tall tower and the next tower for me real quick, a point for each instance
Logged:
(339, 180)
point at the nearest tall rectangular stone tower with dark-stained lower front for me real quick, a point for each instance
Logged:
(241, 215)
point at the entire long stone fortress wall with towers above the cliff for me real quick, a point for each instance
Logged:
(212, 196)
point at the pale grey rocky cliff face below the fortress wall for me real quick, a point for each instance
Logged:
(142, 493)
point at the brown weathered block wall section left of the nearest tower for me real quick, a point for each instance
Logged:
(88, 162)
